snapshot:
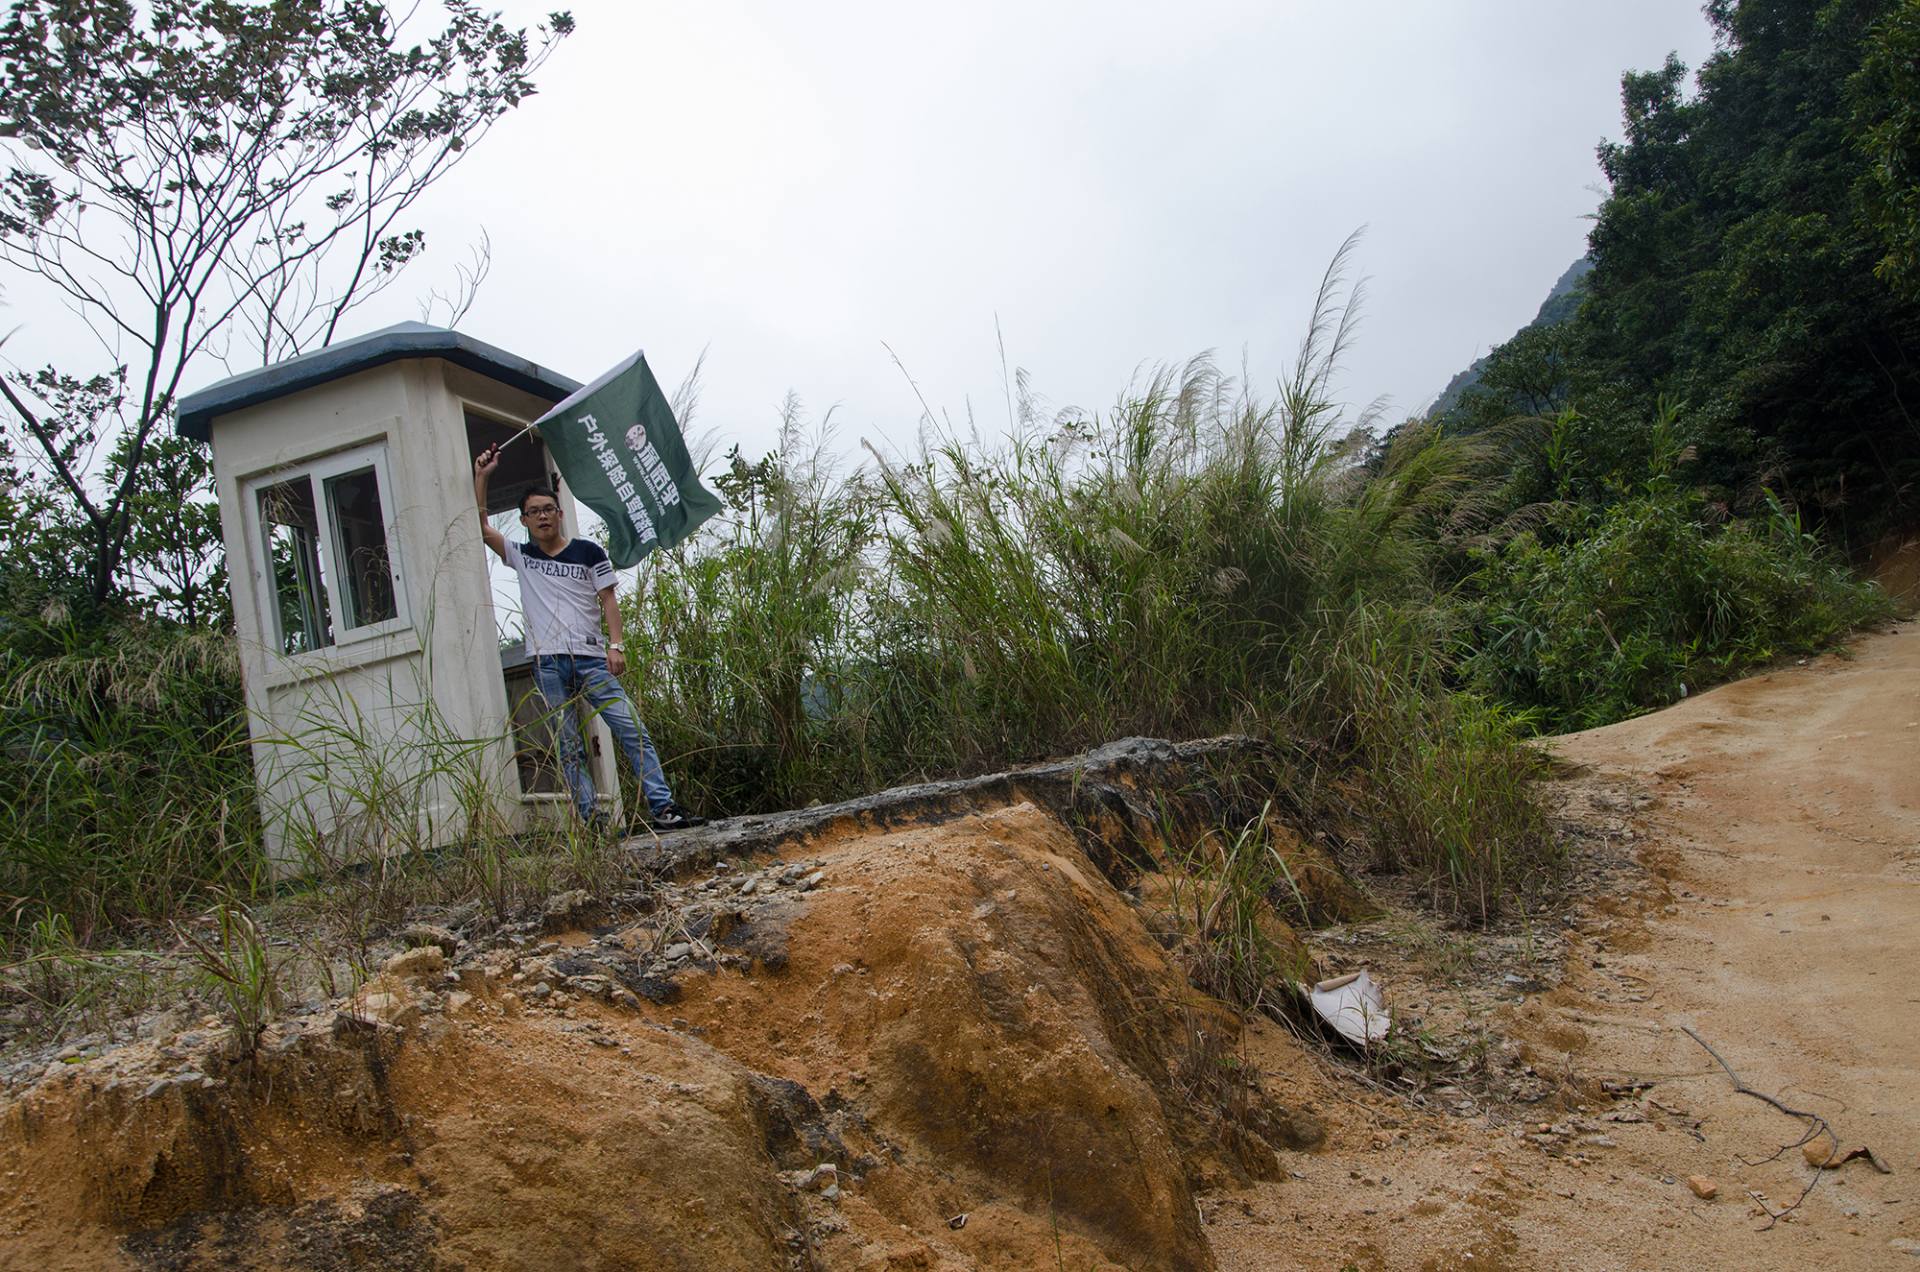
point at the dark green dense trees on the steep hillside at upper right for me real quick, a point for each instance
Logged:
(1737, 262)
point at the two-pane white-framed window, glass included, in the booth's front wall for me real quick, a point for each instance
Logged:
(327, 543)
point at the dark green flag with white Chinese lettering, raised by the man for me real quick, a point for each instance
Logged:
(619, 449)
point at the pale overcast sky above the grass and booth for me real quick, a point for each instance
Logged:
(798, 187)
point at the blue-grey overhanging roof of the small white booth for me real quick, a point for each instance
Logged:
(195, 416)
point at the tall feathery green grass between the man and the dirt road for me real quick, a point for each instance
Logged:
(1197, 560)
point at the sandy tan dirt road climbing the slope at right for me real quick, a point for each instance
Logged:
(1779, 916)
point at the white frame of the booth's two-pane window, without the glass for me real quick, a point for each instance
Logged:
(318, 474)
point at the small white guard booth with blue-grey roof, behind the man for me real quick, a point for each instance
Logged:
(389, 704)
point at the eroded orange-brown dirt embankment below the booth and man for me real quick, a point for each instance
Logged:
(923, 1033)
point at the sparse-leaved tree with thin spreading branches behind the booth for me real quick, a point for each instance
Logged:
(218, 180)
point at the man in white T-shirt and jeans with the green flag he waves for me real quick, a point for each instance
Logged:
(619, 447)
